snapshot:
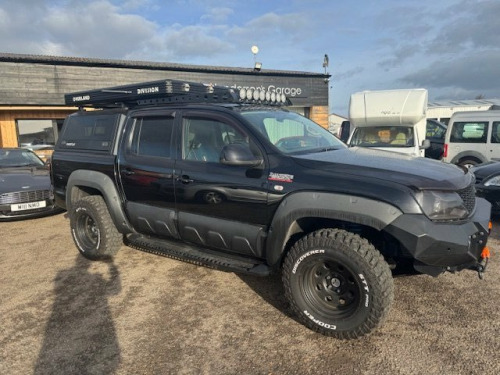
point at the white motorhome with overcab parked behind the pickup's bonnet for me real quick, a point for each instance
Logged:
(392, 120)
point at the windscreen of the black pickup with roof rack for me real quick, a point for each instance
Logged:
(292, 133)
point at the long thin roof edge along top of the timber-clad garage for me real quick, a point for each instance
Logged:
(84, 61)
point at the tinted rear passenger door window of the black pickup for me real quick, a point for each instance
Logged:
(152, 136)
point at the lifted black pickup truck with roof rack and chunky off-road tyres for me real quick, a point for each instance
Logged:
(233, 181)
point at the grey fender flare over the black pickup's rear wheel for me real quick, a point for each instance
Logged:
(106, 186)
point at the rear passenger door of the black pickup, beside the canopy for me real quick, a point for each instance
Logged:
(146, 166)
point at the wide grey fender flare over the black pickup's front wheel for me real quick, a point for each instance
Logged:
(358, 210)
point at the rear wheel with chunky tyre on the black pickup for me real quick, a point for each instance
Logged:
(93, 230)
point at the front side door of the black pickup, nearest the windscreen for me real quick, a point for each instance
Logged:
(219, 206)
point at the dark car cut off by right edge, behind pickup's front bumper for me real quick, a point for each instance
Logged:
(488, 183)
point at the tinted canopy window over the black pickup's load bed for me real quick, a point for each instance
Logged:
(90, 132)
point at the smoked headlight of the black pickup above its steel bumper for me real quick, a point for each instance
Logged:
(440, 205)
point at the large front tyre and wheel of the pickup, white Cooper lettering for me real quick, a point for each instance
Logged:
(337, 283)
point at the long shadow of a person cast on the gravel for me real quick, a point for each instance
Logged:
(80, 336)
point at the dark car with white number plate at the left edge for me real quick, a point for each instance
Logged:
(25, 188)
